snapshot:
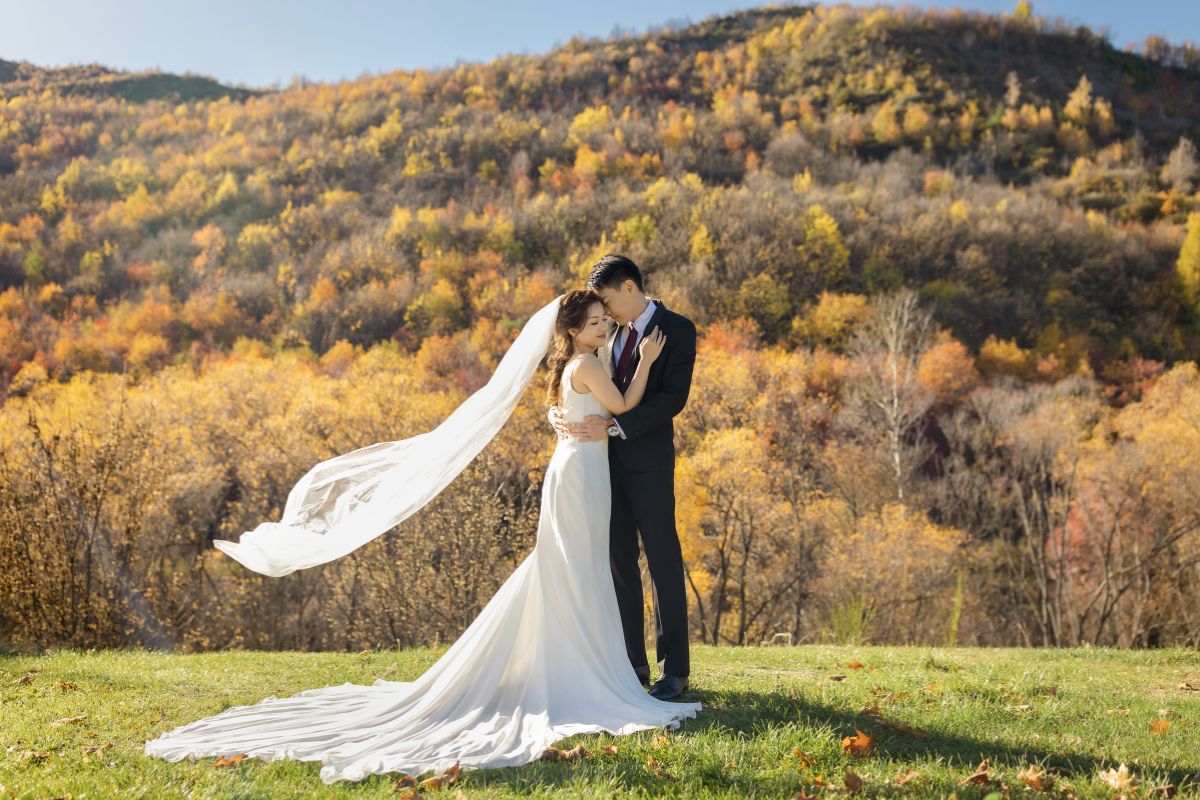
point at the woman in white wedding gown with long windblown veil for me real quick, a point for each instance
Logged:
(544, 660)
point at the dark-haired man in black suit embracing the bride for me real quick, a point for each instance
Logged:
(641, 467)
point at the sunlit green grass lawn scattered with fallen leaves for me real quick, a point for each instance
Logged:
(73, 725)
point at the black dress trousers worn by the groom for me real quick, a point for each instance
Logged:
(645, 502)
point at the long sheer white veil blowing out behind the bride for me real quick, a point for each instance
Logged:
(347, 501)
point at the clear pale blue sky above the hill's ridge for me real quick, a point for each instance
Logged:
(262, 43)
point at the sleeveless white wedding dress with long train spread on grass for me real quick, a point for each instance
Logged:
(544, 660)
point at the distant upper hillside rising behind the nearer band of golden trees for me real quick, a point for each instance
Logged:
(1021, 175)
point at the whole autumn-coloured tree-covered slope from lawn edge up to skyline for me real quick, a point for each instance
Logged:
(946, 269)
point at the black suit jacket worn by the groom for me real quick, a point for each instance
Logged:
(650, 429)
